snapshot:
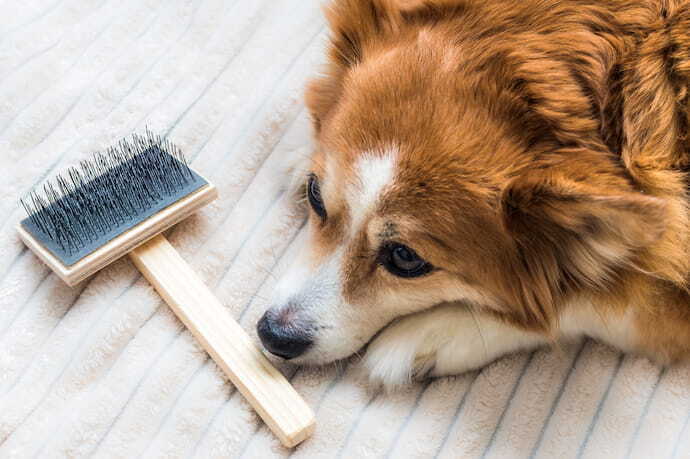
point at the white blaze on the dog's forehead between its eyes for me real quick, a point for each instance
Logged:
(373, 174)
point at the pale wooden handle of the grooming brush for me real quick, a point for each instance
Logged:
(271, 395)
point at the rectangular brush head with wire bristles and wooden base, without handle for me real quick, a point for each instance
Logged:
(117, 199)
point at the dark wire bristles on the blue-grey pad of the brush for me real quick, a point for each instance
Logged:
(115, 186)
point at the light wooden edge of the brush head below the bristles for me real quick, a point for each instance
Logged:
(123, 243)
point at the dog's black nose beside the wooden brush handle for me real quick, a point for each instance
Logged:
(283, 340)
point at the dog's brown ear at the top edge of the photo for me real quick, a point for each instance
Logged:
(353, 24)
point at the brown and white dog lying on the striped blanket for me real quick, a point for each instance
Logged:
(492, 176)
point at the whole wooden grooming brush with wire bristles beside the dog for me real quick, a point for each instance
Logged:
(118, 203)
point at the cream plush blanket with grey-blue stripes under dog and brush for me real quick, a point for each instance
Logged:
(105, 369)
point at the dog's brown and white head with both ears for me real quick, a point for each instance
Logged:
(453, 163)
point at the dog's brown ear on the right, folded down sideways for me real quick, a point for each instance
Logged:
(566, 236)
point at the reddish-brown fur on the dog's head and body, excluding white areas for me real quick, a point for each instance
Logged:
(544, 148)
